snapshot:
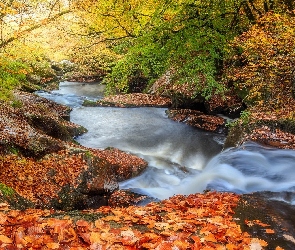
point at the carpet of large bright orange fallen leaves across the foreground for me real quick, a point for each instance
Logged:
(201, 221)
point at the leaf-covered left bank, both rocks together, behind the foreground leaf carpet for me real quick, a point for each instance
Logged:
(41, 162)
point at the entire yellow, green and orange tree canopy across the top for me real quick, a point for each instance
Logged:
(132, 43)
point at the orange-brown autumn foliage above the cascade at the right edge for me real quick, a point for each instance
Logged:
(262, 67)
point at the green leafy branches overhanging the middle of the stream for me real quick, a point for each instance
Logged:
(188, 37)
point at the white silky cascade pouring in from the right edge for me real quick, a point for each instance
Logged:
(246, 169)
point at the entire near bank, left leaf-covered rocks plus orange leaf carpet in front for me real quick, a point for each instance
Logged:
(82, 177)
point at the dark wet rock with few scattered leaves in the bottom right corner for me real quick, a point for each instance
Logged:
(268, 216)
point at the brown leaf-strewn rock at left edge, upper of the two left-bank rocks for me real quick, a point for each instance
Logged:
(35, 126)
